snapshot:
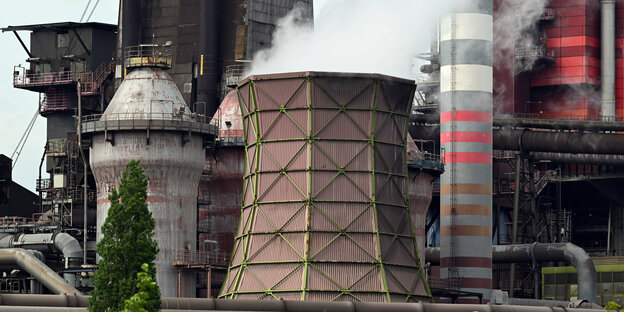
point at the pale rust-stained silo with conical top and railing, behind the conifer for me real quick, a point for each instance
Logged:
(149, 121)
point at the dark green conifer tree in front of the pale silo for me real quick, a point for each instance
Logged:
(127, 244)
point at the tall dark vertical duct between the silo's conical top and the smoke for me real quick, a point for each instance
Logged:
(208, 70)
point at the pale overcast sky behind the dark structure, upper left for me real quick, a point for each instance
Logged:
(18, 106)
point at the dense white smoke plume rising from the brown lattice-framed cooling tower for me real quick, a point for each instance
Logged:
(369, 36)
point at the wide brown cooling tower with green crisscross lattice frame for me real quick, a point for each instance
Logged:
(325, 213)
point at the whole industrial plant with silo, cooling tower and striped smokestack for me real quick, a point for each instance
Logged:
(499, 170)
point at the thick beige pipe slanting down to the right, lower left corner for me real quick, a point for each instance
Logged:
(37, 269)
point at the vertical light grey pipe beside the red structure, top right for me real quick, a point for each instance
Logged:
(607, 84)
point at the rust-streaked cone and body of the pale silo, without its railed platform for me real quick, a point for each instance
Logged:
(173, 165)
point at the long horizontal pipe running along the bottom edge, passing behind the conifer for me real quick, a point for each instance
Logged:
(49, 302)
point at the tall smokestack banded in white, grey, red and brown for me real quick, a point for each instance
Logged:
(466, 137)
